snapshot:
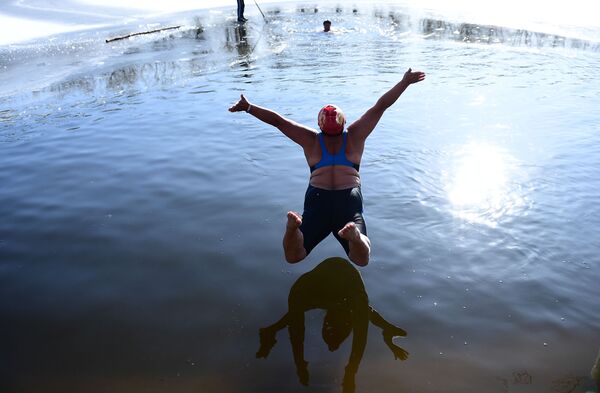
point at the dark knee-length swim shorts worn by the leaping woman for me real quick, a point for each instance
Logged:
(327, 211)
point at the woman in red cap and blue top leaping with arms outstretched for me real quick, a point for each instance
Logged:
(333, 200)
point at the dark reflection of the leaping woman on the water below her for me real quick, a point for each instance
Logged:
(336, 286)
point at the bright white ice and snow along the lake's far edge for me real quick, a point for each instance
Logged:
(26, 20)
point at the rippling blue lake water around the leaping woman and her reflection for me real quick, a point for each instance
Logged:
(141, 222)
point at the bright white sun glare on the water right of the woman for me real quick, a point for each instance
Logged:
(479, 186)
